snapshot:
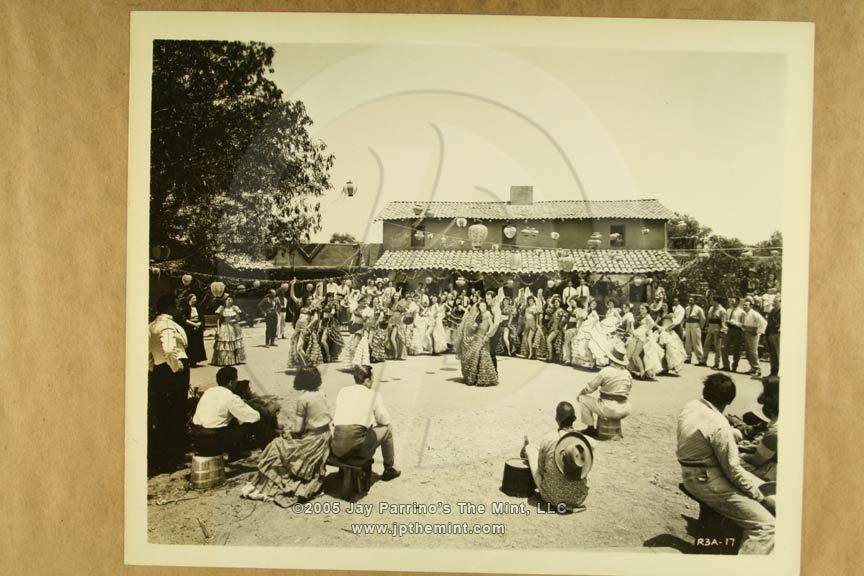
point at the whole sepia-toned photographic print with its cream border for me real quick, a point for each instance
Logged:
(467, 293)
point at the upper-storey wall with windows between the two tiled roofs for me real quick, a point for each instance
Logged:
(397, 235)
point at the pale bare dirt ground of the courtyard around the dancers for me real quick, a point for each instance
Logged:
(451, 444)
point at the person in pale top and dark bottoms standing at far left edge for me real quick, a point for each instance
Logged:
(168, 388)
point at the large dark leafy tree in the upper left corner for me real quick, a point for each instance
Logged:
(234, 169)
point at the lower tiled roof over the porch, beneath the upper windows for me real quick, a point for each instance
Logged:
(529, 261)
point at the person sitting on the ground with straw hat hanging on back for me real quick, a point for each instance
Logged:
(560, 463)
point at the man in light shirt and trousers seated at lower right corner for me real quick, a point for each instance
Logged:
(712, 469)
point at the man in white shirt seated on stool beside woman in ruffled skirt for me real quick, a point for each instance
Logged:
(362, 424)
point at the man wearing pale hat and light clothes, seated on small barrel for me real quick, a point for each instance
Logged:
(614, 383)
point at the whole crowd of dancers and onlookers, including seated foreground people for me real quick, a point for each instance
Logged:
(724, 460)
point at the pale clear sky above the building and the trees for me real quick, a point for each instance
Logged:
(701, 132)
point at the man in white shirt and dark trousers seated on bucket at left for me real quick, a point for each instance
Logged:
(223, 422)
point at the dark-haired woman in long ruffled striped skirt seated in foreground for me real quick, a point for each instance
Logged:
(295, 464)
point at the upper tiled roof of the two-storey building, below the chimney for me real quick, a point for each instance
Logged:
(547, 210)
